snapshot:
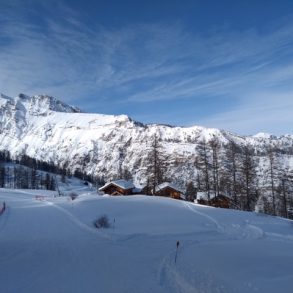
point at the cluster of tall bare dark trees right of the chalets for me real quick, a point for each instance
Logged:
(250, 181)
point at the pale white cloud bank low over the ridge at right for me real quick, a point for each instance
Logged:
(269, 112)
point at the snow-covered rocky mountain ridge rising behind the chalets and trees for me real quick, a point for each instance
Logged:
(47, 129)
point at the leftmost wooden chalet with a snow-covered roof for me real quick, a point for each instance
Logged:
(119, 187)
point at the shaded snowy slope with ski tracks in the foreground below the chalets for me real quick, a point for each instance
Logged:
(49, 244)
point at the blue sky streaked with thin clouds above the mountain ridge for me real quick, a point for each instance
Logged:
(223, 64)
